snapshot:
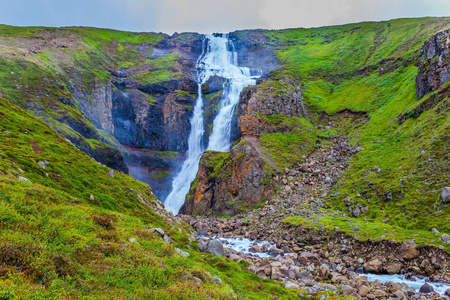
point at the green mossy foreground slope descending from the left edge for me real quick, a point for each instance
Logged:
(75, 231)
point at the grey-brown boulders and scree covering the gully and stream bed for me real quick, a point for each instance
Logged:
(317, 260)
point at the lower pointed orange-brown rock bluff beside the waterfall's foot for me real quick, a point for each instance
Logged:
(229, 183)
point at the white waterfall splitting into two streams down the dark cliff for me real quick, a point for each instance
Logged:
(219, 59)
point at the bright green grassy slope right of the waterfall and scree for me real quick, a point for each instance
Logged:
(371, 68)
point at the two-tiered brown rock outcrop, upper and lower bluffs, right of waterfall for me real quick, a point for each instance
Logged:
(227, 184)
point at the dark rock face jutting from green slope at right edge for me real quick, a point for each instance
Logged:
(434, 65)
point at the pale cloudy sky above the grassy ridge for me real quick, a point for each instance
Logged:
(208, 16)
